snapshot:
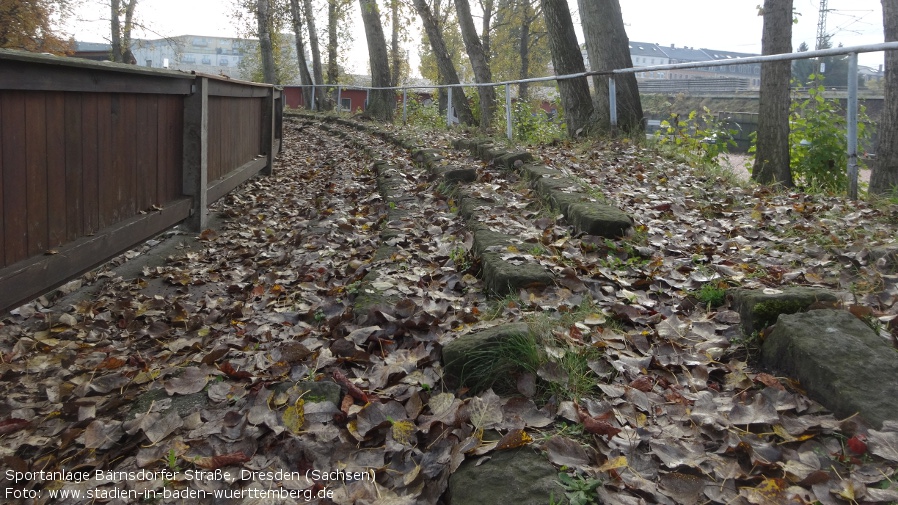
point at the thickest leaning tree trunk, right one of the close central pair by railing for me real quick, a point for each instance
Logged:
(609, 48)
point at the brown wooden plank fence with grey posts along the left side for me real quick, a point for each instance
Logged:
(97, 157)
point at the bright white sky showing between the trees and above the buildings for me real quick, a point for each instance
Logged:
(730, 25)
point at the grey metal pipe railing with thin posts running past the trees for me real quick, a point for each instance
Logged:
(851, 51)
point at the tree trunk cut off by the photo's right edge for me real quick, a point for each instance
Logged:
(884, 178)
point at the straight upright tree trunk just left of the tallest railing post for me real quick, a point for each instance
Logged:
(772, 147)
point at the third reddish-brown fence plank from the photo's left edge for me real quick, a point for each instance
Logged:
(57, 205)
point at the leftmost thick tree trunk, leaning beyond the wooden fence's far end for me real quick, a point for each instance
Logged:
(381, 102)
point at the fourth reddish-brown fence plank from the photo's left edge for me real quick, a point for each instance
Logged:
(74, 183)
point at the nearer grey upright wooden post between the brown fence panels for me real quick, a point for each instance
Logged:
(196, 157)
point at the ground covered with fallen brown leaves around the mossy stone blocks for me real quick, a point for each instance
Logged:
(197, 373)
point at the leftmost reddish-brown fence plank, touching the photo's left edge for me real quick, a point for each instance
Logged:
(15, 209)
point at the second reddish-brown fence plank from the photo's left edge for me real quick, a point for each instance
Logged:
(36, 171)
